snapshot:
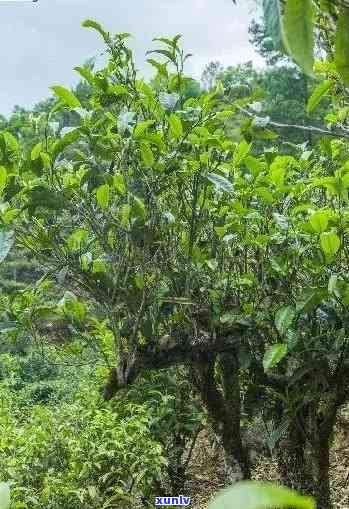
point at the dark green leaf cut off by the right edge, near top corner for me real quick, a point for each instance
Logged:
(341, 57)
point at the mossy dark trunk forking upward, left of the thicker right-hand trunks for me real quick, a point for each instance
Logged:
(224, 410)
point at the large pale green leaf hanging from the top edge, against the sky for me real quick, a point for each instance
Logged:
(298, 27)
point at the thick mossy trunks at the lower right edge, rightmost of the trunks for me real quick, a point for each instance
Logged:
(304, 457)
